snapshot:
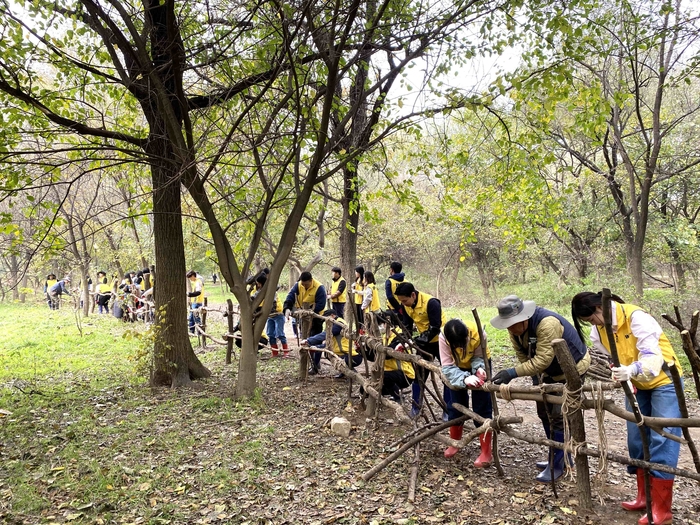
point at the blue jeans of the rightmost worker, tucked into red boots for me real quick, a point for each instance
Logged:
(658, 402)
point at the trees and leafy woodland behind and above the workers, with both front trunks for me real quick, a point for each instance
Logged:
(226, 137)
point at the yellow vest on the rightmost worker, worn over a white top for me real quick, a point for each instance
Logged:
(627, 351)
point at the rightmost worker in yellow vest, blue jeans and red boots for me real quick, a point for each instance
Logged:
(644, 350)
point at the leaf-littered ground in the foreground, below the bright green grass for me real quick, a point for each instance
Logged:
(85, 451)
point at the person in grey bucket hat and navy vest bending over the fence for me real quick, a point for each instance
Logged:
(532, 330)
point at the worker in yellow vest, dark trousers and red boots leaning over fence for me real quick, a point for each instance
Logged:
(462, 363)
